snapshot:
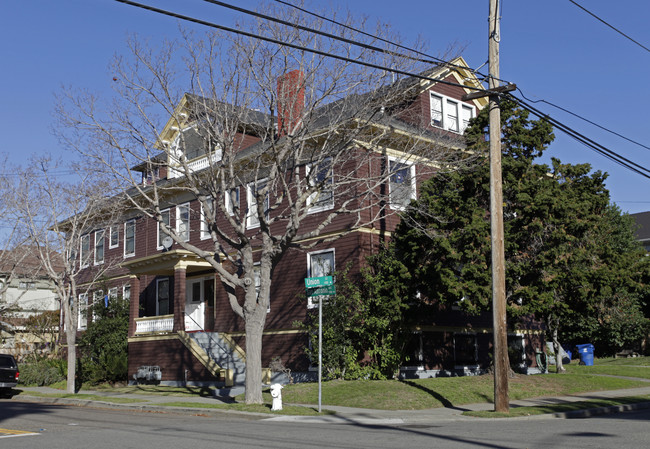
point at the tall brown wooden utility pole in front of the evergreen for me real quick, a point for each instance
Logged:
(500, 345)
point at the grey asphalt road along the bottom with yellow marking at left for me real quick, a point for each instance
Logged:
(55, 426)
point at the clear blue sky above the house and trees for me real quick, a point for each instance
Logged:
(551, 49)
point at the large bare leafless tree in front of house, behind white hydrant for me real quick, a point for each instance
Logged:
(322, 128)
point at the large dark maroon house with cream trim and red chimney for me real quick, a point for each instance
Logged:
(180, 270)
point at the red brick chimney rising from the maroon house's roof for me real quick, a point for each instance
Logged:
(291, 102)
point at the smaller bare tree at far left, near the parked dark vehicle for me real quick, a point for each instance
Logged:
(57, 216)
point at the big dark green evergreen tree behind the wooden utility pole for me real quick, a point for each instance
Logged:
(571, 258)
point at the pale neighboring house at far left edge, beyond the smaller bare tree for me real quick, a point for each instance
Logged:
(29, 320)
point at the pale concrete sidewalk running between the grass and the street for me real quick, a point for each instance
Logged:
(343, 415)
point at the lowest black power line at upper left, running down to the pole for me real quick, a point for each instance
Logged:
(290, 45)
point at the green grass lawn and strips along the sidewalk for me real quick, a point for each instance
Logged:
(417, 394)
